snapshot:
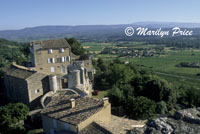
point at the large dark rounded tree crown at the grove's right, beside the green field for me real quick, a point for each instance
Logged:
(154, 88)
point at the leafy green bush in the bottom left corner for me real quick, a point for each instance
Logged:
(11, 118)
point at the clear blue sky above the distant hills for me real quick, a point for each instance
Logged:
(17, 14)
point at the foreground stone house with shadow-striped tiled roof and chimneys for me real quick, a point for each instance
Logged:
(70, 113)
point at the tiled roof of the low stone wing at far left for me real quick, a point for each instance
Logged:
(17, 72)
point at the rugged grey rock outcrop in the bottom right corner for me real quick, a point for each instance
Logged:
(185, 121)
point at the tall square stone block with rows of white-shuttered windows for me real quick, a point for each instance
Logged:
(50, 56)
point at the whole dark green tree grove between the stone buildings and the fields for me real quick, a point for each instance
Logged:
(143, 95)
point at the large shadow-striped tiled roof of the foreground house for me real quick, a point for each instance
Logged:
(59, 108)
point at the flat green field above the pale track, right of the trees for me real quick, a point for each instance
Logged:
(166, 63)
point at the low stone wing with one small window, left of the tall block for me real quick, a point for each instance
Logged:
(25, 85)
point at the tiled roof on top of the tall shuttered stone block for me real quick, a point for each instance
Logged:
(51, 44)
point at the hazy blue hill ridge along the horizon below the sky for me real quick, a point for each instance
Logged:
(83, 31)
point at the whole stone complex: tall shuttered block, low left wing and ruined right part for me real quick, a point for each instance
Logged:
(51, 70)
